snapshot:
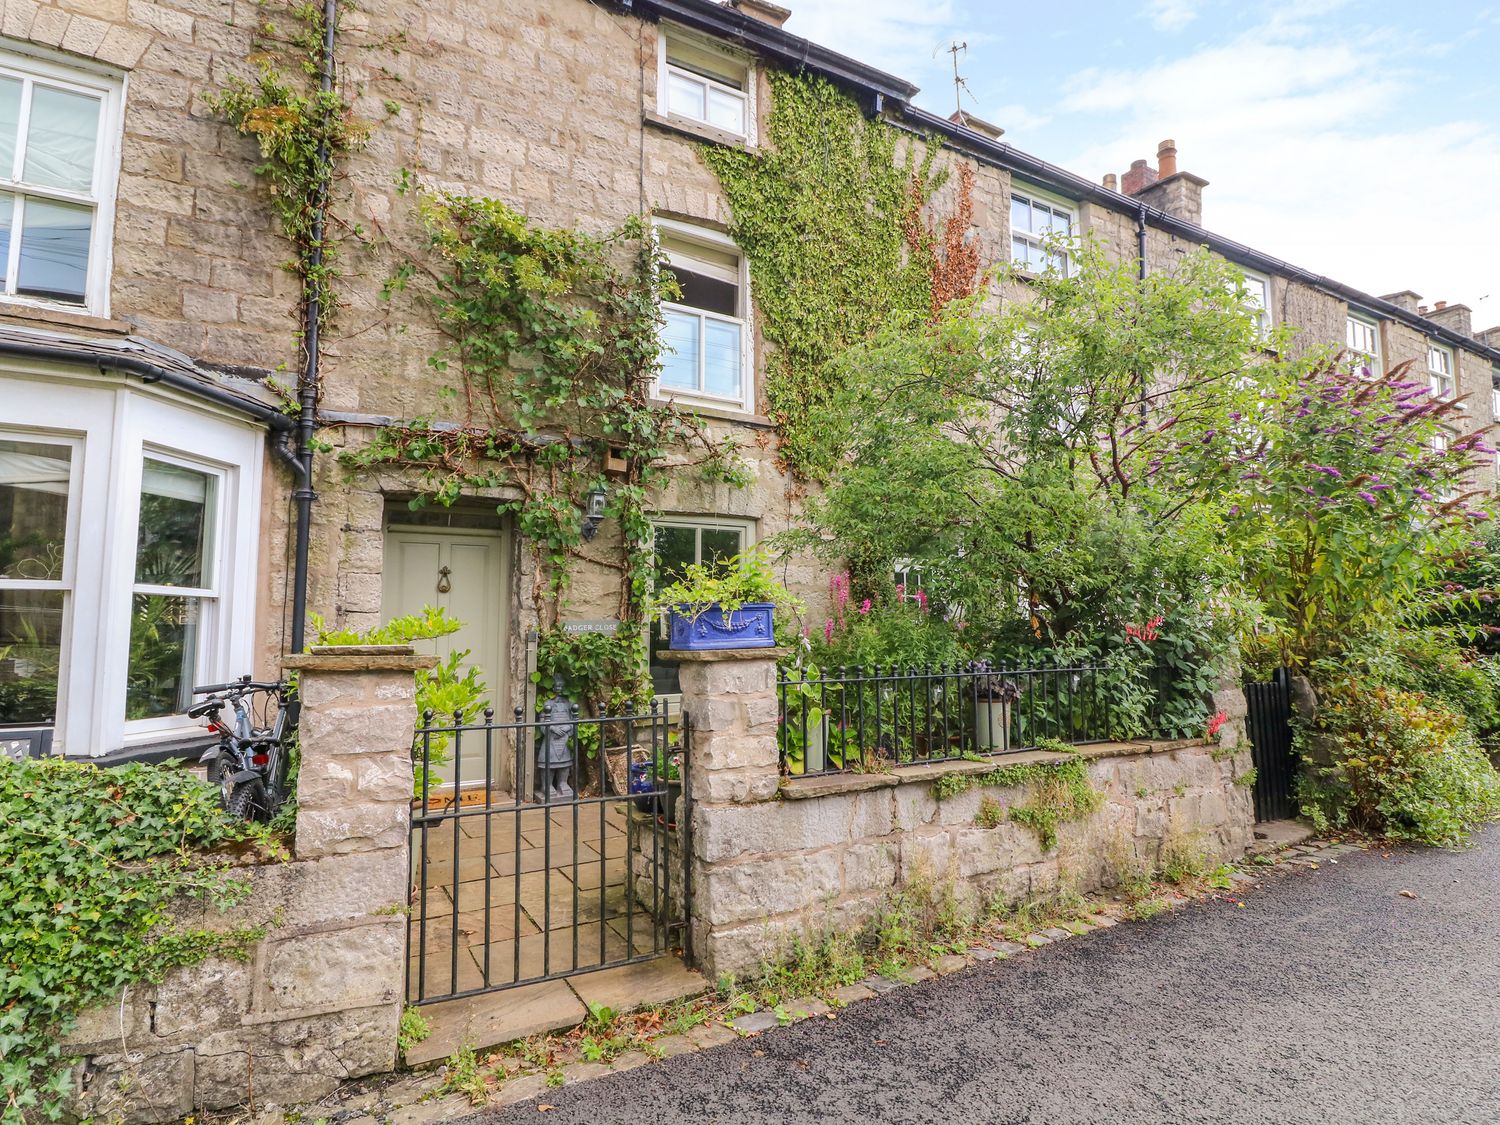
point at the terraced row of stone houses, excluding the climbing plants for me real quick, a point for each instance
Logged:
(152, 469)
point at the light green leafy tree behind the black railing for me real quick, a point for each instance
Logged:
(1037, 458)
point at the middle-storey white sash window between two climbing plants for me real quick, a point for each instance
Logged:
(704, 343)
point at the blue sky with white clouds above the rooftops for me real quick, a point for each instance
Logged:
(1354, 139)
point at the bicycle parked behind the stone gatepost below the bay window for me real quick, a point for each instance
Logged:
(251, 761)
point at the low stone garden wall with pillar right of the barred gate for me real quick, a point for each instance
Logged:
(776, 859)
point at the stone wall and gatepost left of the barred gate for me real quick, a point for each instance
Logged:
(319, 1000)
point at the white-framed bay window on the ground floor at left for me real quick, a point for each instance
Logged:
(128, 557)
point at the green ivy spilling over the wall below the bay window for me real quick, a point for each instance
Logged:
(94, 859)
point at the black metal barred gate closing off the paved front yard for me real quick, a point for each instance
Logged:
(515, 881)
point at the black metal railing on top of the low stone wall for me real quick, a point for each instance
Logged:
(860, 719)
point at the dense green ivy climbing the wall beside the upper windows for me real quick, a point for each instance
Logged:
(824, 212)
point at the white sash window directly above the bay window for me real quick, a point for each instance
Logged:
(59, 161)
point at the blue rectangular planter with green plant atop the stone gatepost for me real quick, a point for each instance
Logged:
(725, 605)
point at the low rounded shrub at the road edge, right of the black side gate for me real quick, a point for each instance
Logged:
(1399, 764)
